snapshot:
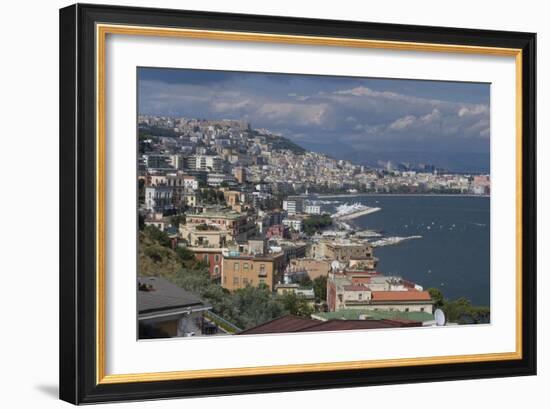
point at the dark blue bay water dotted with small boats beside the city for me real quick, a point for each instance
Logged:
(454, 251)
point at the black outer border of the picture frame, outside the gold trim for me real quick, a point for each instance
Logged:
(78, 197)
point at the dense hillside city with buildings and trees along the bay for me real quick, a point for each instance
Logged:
(238, 235)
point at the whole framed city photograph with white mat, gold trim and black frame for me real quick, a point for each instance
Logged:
(258, 203)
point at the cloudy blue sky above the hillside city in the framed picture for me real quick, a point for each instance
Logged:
(360, 119)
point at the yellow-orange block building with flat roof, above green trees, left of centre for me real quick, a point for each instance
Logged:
(241, 270)
